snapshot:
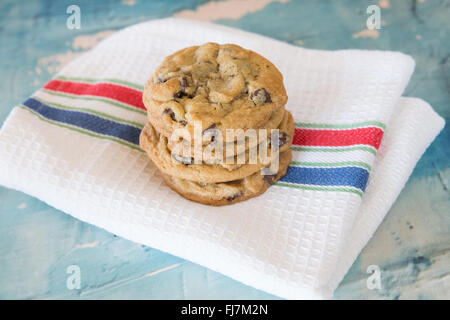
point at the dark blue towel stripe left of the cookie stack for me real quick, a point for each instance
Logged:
(86, 121)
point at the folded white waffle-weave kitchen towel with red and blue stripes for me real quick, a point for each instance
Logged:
(73, 144)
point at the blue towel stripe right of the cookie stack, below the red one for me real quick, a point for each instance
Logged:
(343, 176)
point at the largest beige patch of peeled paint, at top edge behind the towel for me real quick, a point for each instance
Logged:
(228, 9)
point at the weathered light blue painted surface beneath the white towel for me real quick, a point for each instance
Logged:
(38, 243)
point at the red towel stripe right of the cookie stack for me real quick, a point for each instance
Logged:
(338, 138)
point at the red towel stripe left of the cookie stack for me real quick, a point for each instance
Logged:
(107, 90)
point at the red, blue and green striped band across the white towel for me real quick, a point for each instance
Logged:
(317, 139)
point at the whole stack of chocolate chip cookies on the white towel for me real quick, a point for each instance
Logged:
(217, 125)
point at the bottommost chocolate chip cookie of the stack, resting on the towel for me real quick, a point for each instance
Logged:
(224, 193)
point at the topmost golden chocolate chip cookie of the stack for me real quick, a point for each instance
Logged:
(217, 86)
